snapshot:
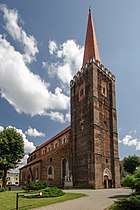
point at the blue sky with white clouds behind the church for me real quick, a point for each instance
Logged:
(41, 49)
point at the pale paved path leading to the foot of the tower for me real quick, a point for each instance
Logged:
(97, 200)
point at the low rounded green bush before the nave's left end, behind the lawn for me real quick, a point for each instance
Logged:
(33, 186)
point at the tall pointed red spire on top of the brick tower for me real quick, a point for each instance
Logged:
(91, 46)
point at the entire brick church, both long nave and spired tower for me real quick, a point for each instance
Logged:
(86, 152)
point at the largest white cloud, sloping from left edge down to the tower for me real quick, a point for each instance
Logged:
(23, 89)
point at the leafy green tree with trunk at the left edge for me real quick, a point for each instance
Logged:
(11, 150)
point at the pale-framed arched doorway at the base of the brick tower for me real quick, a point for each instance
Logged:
(107, 179)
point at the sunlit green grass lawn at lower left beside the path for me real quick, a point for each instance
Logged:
(8, 200)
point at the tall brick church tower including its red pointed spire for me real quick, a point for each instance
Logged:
(94, 143)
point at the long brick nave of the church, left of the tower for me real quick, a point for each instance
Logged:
(42, 158)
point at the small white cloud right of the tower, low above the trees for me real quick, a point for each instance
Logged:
(131, 141)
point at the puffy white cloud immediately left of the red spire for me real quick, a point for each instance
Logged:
(70, 54)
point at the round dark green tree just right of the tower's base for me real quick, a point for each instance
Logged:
(131, 163)
